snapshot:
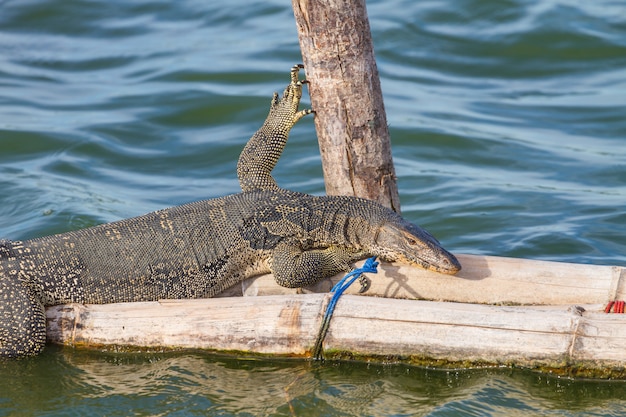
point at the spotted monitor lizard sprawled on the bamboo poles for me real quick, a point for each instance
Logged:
(200, 249)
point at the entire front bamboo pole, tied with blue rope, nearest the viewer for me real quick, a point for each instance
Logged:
(368, 326)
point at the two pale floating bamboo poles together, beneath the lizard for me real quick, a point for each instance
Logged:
(496, 311)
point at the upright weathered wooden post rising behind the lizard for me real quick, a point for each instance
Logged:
(345, 93)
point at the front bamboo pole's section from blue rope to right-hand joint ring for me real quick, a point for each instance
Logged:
(453, 331)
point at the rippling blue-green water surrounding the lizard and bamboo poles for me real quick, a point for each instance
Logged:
(509, 138)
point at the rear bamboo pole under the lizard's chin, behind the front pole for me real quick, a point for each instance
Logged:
(483, 279)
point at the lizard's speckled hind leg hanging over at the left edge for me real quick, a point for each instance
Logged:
(22, 320)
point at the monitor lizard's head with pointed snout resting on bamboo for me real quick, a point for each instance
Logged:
(402, 241)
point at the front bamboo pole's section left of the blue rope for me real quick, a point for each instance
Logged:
(277, 325)
